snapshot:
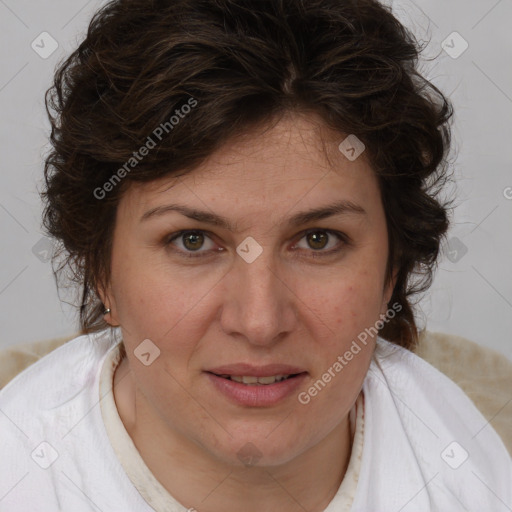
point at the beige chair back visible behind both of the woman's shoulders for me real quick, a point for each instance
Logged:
(483, 374)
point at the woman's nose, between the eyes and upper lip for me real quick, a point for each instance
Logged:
(258, 304)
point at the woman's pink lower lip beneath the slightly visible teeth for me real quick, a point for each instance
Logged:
(256, 395)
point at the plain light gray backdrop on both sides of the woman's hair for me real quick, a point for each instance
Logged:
(472, 292)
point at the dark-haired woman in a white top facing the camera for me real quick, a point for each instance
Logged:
(247, 195)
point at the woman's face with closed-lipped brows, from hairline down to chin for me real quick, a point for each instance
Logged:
(257, 291)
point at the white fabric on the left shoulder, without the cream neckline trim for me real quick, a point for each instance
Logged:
(55, 451)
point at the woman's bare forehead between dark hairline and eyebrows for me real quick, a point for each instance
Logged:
(294, 159)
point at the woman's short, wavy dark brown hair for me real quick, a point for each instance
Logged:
(243, 63)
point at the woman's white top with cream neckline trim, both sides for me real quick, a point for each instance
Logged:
(425, 446)
